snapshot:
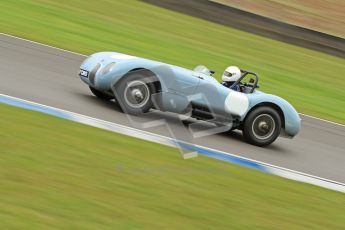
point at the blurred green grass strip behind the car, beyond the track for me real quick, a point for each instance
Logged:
(313, 82)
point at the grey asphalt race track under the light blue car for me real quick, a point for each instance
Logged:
(48, 76)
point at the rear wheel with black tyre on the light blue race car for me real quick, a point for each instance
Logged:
(262, 126)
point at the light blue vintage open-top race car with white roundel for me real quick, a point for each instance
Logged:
(139, 84)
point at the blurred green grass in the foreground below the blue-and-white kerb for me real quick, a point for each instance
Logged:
(56, 174)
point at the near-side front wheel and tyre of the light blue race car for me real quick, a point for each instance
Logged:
(133, 93)
